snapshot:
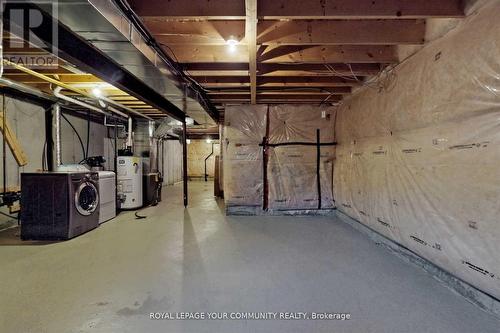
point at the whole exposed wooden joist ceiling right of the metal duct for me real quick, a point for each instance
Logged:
(303, 51)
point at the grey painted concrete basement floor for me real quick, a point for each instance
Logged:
(110, 279)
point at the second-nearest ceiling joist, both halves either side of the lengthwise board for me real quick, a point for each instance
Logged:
(295, 32)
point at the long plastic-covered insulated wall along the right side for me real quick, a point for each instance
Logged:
(417, 157)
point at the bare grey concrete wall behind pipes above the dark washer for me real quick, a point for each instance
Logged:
(27, 122)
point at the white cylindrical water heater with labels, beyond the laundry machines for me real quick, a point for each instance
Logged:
(129, 176)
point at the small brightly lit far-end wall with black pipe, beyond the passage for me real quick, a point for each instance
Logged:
(198, 151)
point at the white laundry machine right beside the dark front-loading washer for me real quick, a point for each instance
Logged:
(107, 194)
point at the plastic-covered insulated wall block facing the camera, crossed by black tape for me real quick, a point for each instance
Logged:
(292, 163)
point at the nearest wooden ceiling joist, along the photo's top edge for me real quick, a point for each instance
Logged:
(298, 9)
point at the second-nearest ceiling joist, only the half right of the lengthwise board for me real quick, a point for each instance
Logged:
(341, 32)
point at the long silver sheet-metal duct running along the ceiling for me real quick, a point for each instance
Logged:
(102, 23)
